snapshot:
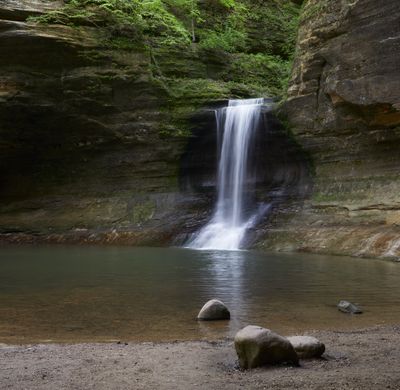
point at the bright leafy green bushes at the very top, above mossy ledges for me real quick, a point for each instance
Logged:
(232, 26)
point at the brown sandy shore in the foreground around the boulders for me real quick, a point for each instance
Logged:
(364, 359)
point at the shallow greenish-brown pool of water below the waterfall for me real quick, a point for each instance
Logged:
(70, 294)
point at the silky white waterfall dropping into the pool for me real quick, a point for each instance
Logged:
(236, 126)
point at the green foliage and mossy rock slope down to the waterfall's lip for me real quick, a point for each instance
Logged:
(218, 49)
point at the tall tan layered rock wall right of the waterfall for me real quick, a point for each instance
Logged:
(344, 109)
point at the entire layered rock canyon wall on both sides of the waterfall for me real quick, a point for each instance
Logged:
(103, 140)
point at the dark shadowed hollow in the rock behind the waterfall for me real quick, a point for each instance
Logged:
(277, 163)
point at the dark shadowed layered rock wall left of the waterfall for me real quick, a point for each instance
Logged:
(81, 150)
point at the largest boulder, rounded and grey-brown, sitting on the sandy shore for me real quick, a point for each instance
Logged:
(258, 346)
